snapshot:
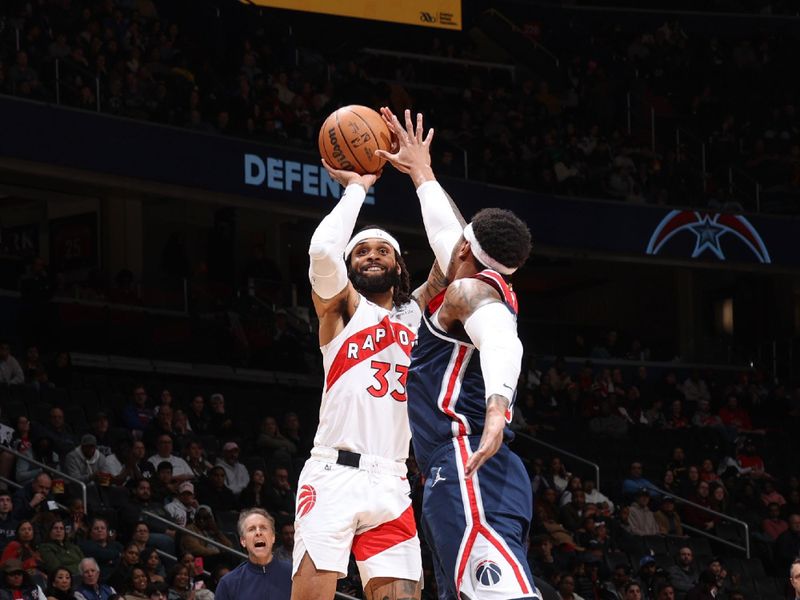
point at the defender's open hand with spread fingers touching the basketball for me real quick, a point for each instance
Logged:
(412, 154)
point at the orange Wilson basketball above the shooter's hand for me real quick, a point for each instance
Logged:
(349, 137)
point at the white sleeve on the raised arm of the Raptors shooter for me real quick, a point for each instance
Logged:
(328, 272)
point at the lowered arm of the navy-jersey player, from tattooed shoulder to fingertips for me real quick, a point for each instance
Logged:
(492, 328)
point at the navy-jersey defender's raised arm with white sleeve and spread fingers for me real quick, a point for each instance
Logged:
(443, 222)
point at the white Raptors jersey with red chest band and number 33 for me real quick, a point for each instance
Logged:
(364, 399)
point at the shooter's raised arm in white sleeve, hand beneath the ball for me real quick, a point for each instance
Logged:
(333, 295)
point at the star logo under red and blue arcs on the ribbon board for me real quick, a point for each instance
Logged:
(710, 231)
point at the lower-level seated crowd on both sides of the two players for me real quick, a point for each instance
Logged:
(161, 462)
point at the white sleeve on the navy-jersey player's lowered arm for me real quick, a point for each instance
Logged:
(493, 330)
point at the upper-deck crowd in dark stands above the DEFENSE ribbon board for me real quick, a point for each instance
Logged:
(562, 130)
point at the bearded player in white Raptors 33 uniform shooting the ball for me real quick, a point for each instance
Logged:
(353, 493)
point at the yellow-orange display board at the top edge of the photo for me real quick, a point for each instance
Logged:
(445, 14)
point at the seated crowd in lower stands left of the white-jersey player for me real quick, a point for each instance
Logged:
(155, 471)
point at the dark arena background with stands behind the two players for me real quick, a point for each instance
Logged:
(159, 183)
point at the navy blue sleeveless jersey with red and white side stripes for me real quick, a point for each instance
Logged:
(446, 395)
